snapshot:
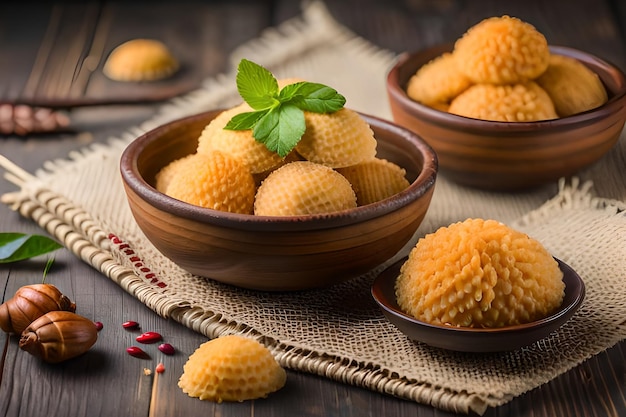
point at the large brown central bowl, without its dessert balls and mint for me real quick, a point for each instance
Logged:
(275, 253)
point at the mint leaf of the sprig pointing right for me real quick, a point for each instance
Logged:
(313, 97)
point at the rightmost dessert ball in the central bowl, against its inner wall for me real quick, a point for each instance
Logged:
(375, 180)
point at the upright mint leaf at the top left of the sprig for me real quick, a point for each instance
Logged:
(256, 85)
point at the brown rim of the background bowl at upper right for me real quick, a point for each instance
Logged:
(615, 102)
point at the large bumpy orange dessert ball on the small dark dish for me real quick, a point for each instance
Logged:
(479, 273)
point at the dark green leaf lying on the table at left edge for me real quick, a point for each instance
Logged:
(20, 246)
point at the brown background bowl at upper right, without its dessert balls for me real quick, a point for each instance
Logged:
(511, 156)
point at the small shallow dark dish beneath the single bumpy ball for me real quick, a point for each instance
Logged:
(466, 339)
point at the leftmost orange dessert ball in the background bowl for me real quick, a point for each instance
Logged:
(438, 82)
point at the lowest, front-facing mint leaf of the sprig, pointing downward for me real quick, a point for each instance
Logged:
(280, 129)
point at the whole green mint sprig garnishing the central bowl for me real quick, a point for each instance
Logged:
(278, 117)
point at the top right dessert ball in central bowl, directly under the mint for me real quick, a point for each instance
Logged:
(338, 139)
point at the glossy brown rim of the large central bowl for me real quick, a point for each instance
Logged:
(421, 186)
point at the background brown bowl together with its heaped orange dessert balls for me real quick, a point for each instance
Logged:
(506, 111)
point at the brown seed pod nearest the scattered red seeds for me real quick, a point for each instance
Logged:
(59, 335)
